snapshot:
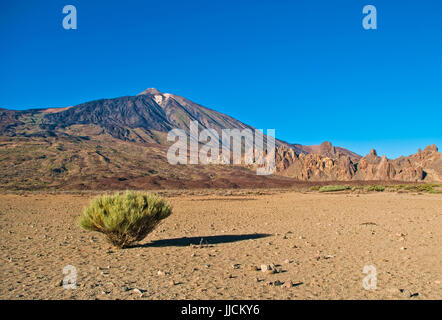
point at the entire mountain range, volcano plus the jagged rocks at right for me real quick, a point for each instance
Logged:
(122, 143)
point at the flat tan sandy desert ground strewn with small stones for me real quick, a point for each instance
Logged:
(213, 243)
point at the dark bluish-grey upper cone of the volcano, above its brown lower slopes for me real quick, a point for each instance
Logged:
(142, 118)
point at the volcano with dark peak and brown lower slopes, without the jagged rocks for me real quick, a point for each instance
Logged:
(112, 143)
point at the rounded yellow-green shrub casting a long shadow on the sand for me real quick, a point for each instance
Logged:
(125, 218)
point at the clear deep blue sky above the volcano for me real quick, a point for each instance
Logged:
(305, 68)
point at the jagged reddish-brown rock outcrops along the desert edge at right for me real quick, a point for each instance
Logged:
(329, 164)
